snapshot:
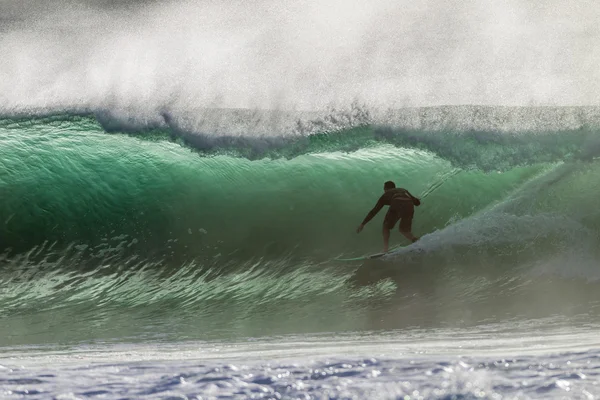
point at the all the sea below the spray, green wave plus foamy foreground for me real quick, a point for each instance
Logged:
(155, 260)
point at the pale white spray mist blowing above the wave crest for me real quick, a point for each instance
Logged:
(143, 57)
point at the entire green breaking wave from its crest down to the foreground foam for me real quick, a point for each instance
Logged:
(117, 228)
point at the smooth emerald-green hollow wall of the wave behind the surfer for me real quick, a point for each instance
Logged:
(69, 182)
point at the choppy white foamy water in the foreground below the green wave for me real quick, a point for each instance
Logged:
(510, 361)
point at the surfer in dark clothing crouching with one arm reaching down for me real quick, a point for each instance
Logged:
(402, 206)
